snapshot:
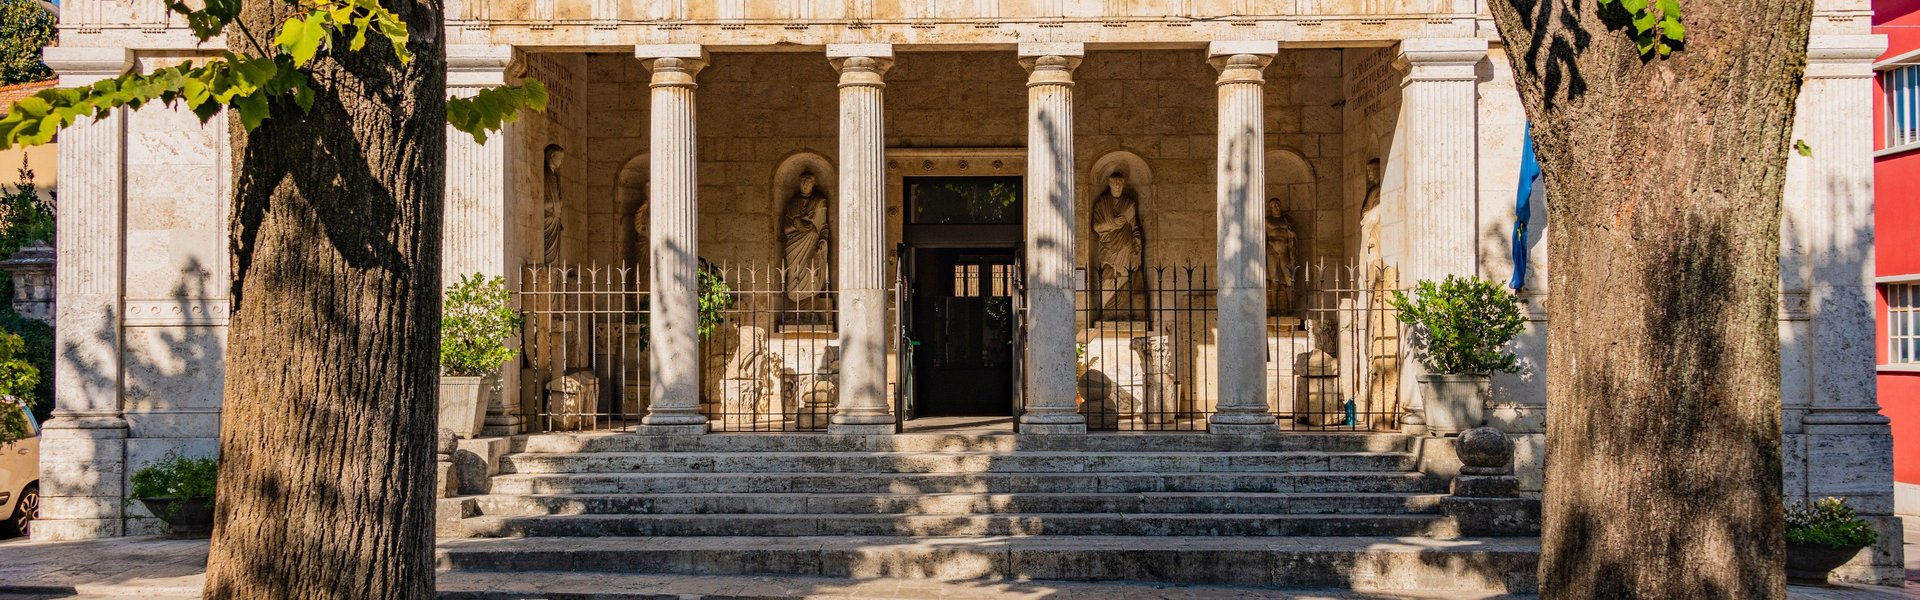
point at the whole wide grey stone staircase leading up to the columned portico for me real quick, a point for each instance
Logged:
(1347, 511)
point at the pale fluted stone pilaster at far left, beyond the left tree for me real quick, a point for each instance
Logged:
(84, 449)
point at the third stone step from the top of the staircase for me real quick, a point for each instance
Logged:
(951, 484)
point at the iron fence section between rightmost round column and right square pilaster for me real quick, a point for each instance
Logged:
(1335, 349)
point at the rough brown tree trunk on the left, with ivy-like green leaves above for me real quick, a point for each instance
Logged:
(327, 462)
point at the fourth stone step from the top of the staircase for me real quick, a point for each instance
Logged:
(963, 505)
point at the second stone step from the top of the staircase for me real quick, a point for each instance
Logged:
(959, 462)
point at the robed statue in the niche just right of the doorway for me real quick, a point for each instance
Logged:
(1118, 253)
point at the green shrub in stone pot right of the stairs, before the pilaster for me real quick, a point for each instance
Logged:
(1460, 334)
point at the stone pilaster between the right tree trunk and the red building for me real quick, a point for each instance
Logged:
(1844, 445)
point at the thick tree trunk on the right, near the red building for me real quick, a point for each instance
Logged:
(1664, 353)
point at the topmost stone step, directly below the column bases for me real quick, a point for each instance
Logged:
(565, 443)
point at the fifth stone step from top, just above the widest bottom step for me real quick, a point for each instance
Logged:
(963, 526)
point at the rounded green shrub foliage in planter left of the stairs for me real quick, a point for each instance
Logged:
(477, 326)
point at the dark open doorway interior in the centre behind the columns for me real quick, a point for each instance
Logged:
(963, 270)
